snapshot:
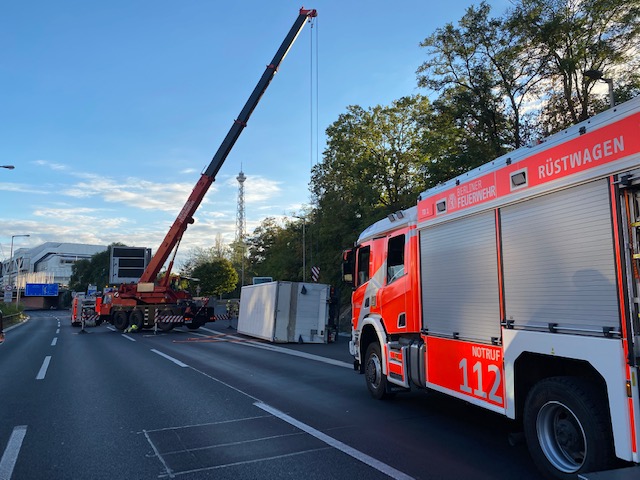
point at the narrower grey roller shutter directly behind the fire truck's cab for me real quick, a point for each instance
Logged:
(460, 294)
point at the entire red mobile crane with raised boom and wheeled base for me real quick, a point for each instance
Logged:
(151, 303)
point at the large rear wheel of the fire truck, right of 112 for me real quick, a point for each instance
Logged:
(567, 427)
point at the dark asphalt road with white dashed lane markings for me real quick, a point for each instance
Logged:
(214, 404)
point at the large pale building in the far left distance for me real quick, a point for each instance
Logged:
(50, 262)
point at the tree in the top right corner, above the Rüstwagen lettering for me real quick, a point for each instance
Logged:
(571, 37)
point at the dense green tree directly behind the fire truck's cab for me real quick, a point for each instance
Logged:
(373, 165)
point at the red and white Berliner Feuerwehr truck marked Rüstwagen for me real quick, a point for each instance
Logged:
(515, 287)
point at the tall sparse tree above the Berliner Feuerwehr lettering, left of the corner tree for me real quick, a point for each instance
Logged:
(484, 77)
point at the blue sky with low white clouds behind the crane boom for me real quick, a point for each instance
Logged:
(110, 111)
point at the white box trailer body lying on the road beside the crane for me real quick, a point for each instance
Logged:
(285, 312)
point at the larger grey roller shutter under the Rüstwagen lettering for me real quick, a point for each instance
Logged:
(558, 260)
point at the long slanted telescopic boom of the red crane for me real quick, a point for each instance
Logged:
(185, 217)
